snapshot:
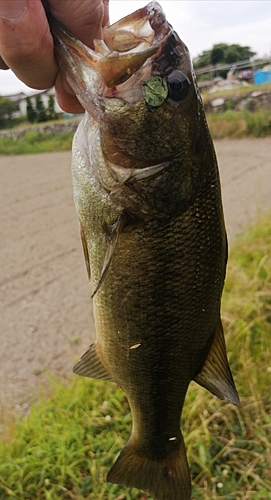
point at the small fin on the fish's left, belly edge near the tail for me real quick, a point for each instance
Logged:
(91, 366)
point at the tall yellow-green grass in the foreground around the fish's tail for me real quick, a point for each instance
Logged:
(67, 444)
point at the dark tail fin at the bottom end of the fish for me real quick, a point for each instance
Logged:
(167, 479)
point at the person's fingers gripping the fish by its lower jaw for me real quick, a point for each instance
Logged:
(26, 43)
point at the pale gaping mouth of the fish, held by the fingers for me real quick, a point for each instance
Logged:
(123, 51)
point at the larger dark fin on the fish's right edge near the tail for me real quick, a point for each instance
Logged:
(215, 374)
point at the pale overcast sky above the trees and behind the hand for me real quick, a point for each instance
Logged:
(199, 23)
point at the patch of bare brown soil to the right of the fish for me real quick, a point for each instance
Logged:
(245, 170)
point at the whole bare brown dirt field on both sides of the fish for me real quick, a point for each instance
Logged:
(45, 307)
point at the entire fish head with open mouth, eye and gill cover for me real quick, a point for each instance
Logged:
(139, 87)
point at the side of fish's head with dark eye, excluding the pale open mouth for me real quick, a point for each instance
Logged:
(157, 113)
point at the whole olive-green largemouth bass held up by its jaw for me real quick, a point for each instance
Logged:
(147, 194)
